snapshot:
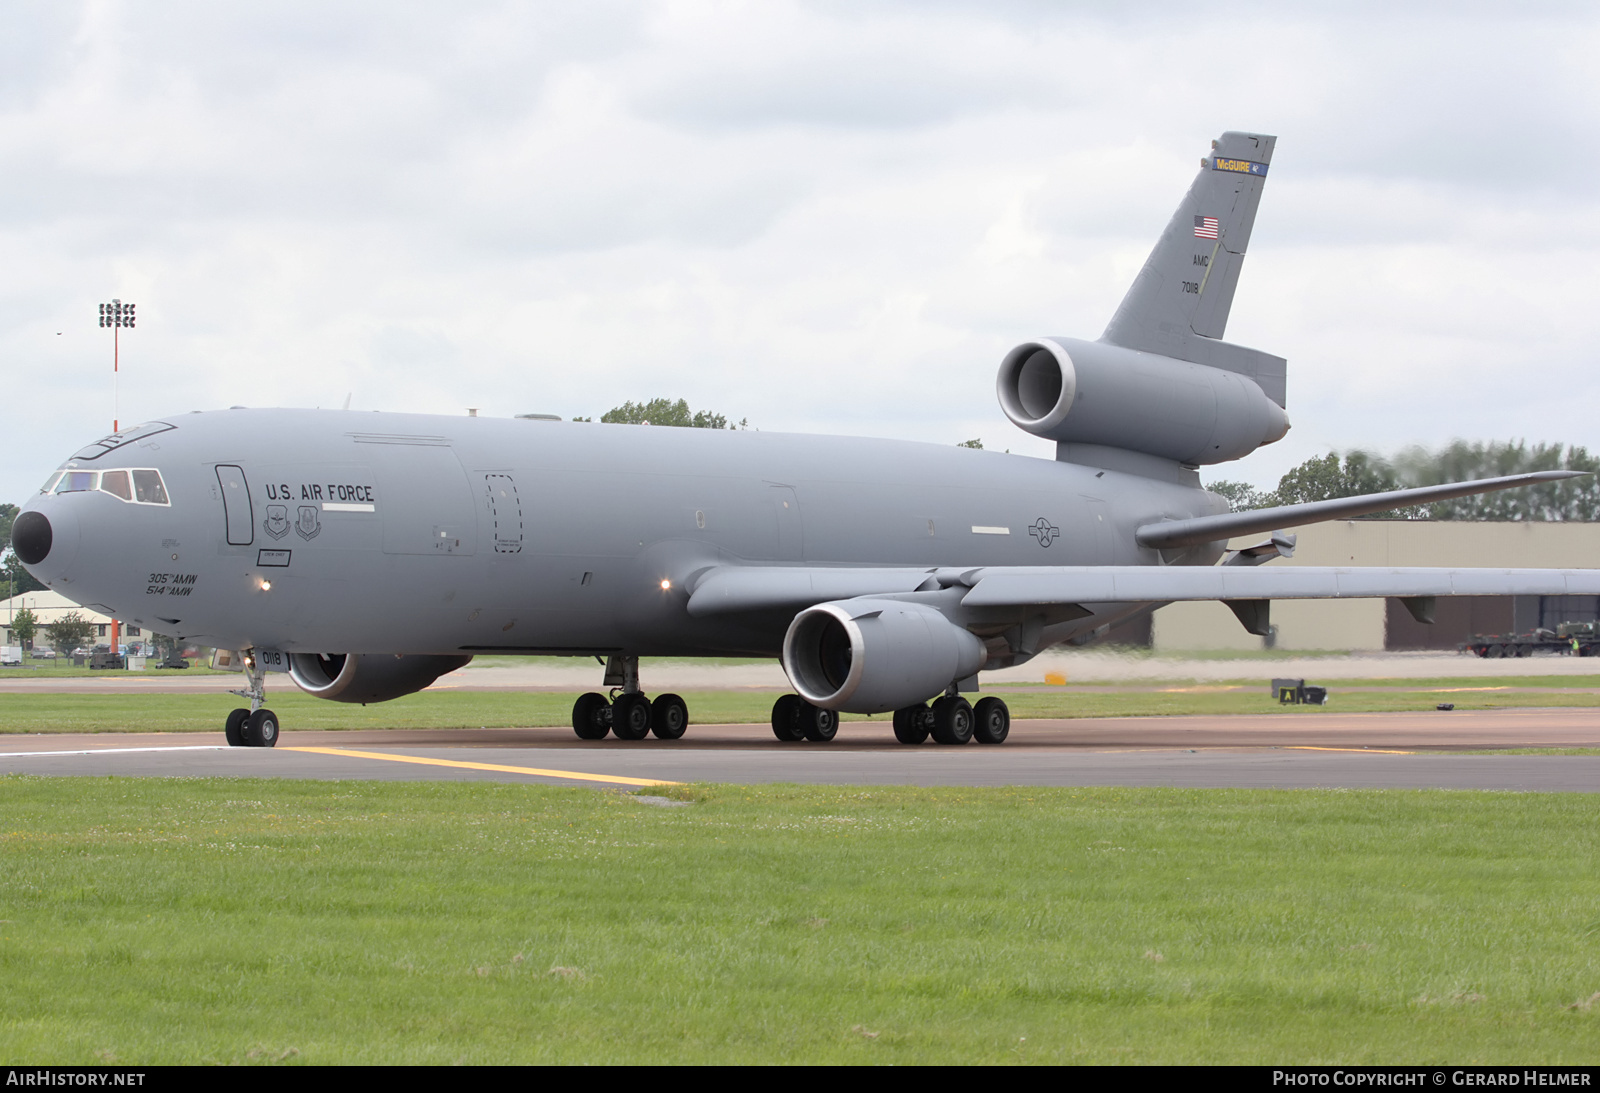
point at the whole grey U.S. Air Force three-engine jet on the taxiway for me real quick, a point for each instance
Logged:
(369, 555)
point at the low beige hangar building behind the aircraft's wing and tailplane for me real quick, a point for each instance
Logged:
(1386, 625)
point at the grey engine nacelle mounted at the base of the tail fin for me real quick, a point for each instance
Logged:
(1094, 393)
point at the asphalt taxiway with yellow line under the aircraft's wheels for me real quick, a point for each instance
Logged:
(1358, 751)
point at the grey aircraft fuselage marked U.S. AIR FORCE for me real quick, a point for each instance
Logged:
(407, 534)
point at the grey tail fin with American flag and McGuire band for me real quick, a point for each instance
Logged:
(1180, 302)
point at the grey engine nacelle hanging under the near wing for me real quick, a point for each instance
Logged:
(868, 657)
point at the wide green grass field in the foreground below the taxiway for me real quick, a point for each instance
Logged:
(228, 921)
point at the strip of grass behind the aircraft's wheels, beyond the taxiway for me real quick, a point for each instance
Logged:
(505, 710)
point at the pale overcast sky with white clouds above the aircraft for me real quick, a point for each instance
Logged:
(820, 217)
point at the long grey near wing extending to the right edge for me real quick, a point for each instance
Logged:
(726, 590)
